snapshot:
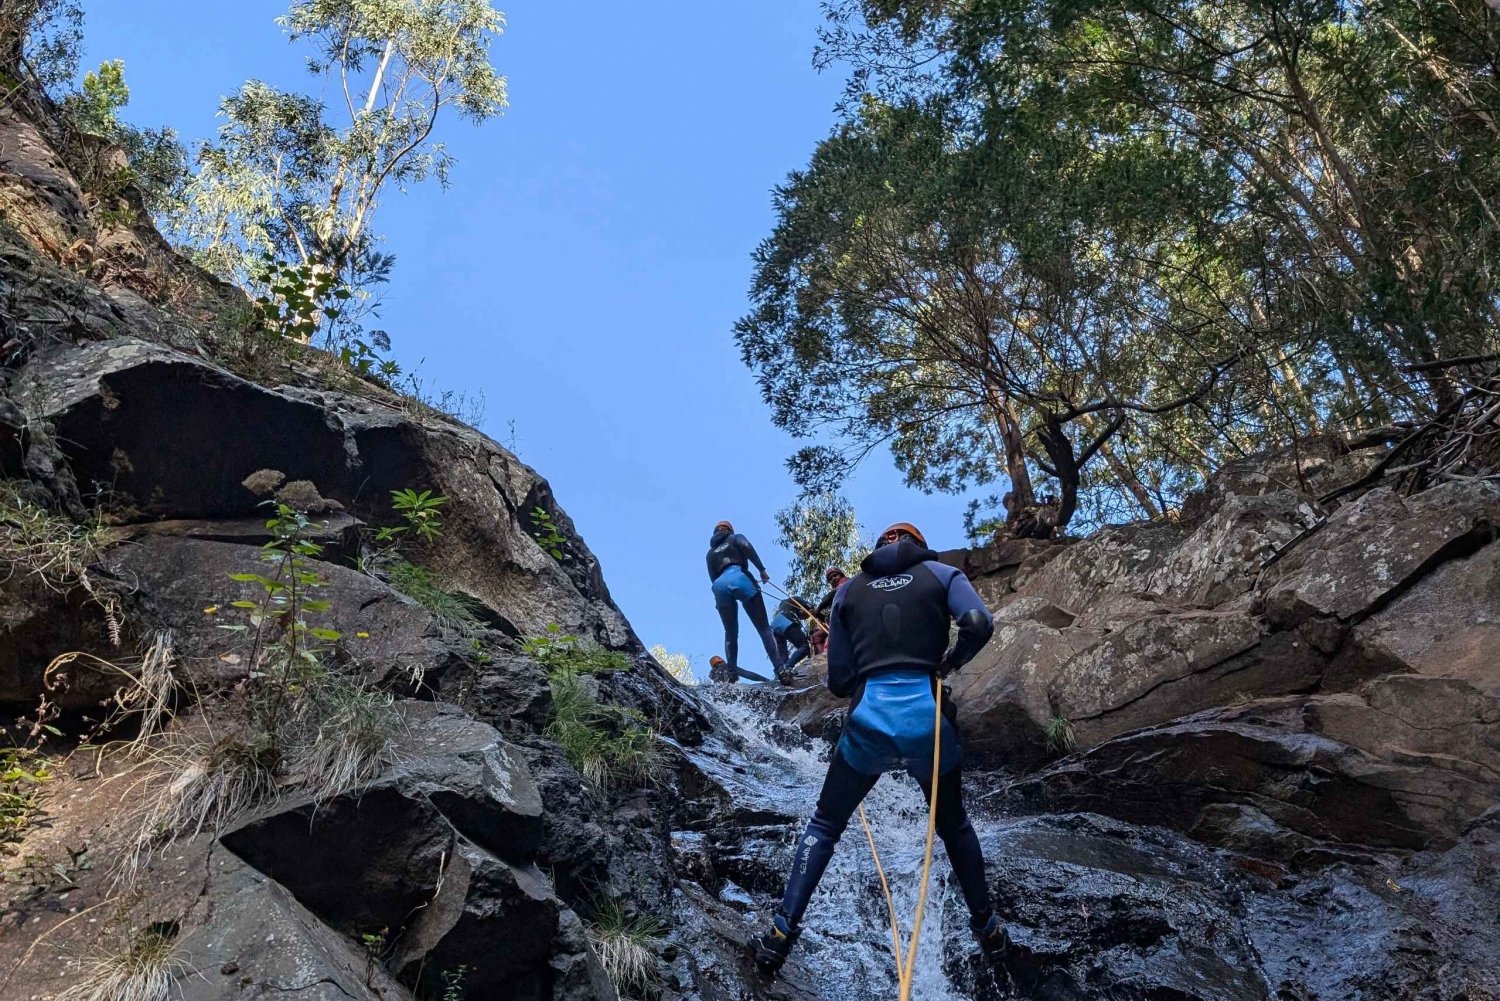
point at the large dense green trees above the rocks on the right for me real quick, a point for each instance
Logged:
(1109, 248)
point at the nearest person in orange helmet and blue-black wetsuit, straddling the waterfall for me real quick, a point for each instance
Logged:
(889, 649)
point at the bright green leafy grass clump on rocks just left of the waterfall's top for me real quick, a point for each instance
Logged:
(607, 744)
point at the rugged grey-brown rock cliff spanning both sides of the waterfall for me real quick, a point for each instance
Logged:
(1252, 754)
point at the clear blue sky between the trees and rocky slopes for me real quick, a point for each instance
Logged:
(589, 263)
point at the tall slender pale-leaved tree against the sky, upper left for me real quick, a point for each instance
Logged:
(301, 179)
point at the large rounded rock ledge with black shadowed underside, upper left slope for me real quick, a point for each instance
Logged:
(173, 437)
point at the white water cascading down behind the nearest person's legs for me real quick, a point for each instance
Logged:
(773, 771)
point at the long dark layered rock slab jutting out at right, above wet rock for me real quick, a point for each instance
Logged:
(1327, 769)
